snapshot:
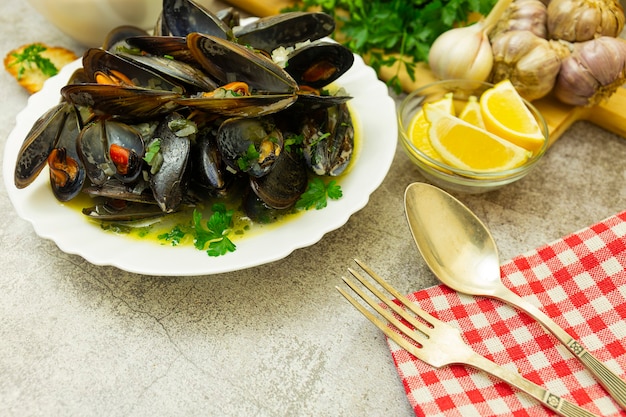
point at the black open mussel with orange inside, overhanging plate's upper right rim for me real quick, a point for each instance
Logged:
(319, 63)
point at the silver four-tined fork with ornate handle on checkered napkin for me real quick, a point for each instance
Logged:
(438, 343)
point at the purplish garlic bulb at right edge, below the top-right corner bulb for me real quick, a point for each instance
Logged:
(593, 71)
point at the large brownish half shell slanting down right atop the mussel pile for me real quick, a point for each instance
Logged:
(227, 61)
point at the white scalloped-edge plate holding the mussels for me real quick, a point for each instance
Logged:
(375, 117)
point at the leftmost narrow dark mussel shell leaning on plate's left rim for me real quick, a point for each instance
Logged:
(39, 141)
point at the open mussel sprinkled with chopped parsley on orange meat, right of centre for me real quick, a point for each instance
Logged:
(249, 145)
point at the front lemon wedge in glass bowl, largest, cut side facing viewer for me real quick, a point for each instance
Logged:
(469, 147)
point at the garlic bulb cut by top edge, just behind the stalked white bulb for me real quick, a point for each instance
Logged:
(531, 15)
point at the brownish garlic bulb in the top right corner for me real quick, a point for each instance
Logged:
(583, 20)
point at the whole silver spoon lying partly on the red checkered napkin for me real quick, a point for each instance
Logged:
(460, 251)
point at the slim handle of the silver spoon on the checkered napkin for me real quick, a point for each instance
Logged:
(607, 378)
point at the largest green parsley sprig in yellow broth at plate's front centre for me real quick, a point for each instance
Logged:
(215, 232)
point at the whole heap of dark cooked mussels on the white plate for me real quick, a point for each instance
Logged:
(152, 122)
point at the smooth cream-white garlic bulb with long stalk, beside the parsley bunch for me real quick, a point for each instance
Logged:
(465, 52)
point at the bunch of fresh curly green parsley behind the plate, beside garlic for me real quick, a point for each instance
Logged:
(407, 28)
